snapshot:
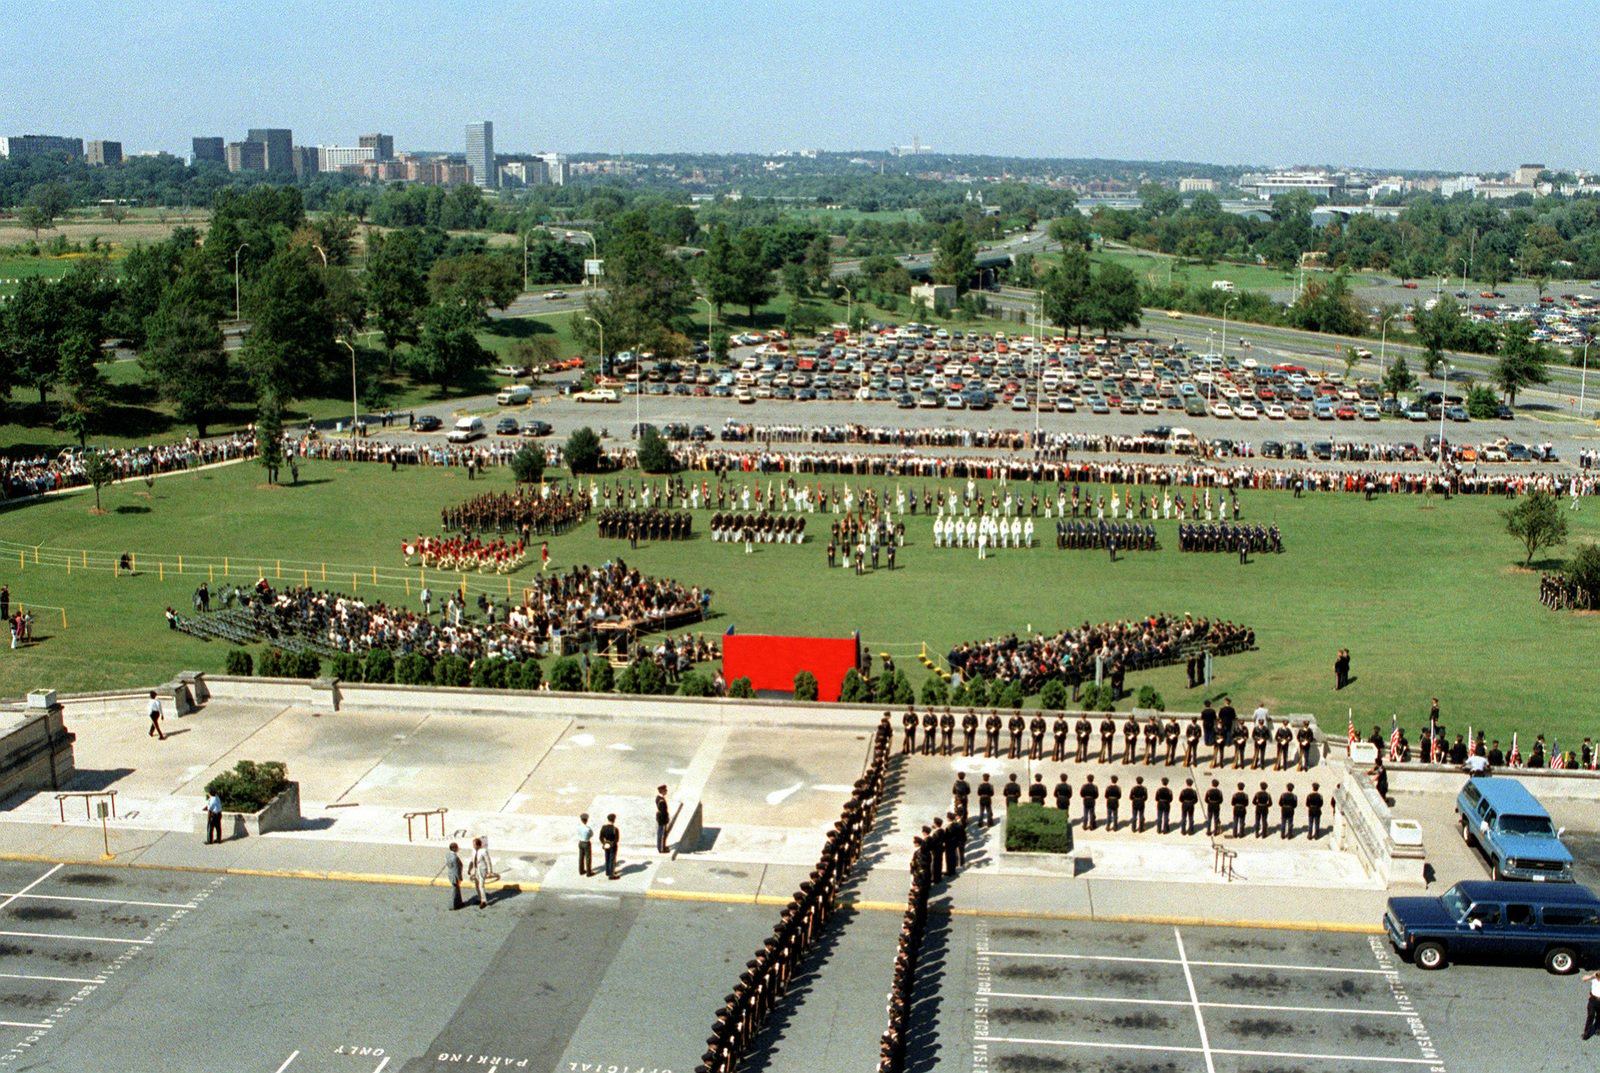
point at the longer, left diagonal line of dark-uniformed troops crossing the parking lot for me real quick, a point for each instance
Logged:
(767, 976)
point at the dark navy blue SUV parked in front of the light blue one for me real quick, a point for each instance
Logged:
(1510, 923)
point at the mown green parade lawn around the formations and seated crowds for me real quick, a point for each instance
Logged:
(1426, 594)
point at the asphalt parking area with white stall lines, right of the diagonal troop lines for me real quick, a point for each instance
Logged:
(1066, 997)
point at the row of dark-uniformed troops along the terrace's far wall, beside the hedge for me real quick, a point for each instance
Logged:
(1161, 738)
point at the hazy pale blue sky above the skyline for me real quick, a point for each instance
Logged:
(1407, 84)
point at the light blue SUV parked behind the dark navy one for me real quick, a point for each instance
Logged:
(1513, 832)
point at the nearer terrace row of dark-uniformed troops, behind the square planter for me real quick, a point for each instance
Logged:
(1138, 796)
